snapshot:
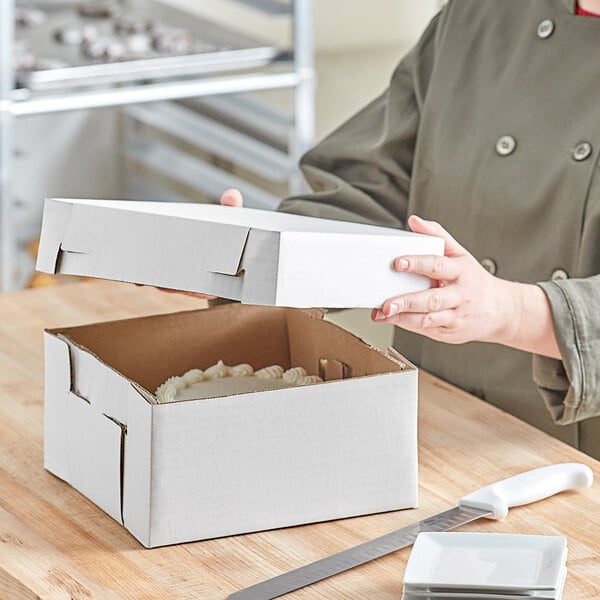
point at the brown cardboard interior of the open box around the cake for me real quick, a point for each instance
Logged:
(148, 350)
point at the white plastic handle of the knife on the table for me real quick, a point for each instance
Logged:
(528, 487)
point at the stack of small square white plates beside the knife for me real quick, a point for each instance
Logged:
(485, 566)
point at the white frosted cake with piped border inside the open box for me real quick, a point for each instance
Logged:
(221, 380)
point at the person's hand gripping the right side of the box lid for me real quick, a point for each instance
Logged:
(465, 302)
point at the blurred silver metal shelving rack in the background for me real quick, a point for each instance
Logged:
(150, 101)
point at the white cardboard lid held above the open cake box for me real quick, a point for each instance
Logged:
(254, 256)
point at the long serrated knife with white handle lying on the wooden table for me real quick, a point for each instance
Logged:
(492, 502)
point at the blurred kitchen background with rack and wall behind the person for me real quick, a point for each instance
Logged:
(179, 99)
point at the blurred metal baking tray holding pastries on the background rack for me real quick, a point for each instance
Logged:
(215, 48)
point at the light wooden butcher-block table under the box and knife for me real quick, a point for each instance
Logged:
(54, 543)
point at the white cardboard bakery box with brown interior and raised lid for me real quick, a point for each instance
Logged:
(197, 469)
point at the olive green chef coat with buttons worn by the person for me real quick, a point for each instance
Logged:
(491, 126)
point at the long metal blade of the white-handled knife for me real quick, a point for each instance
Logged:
(357, 555)
